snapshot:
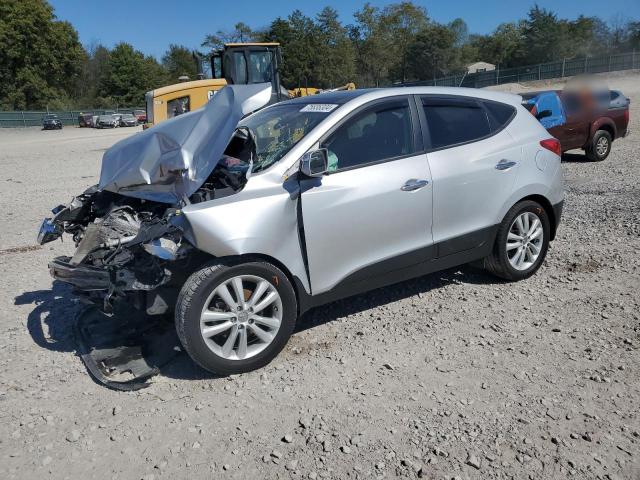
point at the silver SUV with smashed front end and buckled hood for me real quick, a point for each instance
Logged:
(240, 223)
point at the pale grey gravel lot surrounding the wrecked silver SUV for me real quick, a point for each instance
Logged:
(454, 375)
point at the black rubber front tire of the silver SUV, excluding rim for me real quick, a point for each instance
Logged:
(195, 293)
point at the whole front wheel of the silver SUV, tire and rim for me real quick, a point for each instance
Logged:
(235, 317)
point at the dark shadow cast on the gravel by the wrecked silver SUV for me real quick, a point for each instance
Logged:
(55, 312)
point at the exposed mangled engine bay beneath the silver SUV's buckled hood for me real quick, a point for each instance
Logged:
(134, 250)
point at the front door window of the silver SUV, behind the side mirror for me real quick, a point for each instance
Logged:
(378, 133)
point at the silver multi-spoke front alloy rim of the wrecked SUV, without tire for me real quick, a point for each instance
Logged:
(241, 317)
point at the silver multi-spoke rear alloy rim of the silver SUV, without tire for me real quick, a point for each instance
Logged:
(524, 241)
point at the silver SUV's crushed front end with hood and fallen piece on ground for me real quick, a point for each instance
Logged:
(134, 245)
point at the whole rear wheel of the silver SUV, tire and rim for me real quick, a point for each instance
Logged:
(521, 243)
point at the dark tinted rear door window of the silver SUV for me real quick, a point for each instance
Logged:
(451, 122)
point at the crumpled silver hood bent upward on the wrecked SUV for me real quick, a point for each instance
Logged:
(170, 161)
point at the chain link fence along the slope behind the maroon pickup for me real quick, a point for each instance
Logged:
(544, 71)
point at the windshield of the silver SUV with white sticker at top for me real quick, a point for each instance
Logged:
(277, 129)
